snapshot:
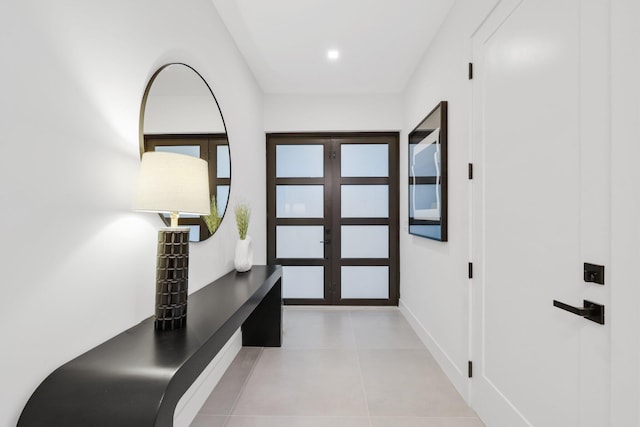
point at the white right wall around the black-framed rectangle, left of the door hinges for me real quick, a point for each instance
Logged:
(434, 287)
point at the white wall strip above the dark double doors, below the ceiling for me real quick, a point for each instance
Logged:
(328, 113)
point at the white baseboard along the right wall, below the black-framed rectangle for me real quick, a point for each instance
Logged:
(459, 378)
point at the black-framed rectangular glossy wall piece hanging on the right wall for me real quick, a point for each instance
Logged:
(428, 176)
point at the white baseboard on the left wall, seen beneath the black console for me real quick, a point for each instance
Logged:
(190, 403)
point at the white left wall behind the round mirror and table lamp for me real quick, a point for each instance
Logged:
(78, 265)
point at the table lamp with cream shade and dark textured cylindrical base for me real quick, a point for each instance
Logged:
(172, 183)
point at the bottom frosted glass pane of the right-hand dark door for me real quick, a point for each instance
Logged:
(365, 282)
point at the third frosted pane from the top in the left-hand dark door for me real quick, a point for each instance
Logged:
(305, 241)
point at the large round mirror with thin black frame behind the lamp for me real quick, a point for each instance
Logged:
(180, 114)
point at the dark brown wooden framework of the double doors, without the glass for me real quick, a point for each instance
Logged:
(332, 220)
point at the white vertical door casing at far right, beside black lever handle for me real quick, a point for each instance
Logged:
(625, 244)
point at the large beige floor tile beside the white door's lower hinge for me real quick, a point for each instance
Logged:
(409, 383)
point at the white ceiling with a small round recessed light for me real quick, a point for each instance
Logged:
(285, 42)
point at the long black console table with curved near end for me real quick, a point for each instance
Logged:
(138, 377)
